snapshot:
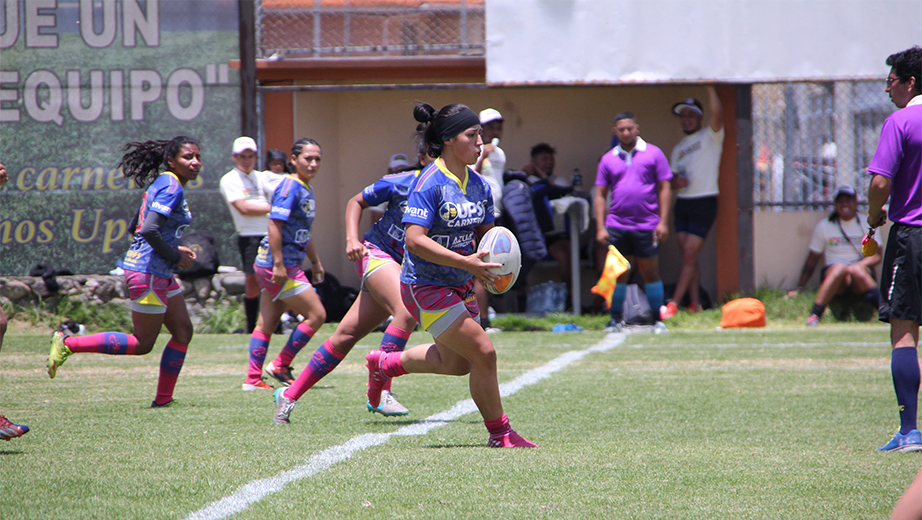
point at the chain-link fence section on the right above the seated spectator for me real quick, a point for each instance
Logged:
(810, 138)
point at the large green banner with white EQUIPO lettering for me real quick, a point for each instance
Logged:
(79, 79)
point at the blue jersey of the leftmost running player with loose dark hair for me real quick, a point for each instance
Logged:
(166, 197)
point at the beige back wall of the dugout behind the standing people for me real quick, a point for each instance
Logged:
(359, 131)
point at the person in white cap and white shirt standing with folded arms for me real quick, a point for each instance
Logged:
(248, 194)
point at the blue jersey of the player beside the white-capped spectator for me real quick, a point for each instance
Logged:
(293, 203)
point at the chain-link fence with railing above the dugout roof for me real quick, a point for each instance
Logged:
(356, 28)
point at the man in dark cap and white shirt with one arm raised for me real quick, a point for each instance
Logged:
(695, 168)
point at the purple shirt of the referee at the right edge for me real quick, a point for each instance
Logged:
(899, 157)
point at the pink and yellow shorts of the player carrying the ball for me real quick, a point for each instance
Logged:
(436, 308)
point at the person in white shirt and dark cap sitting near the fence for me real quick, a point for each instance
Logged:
(846, 268)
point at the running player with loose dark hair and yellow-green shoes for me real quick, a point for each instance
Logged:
(156, 298)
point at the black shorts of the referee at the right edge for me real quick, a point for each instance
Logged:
(901, 279)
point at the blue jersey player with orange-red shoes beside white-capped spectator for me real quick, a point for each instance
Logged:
(278, 269)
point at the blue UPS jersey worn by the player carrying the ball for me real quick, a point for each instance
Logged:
(450, 209)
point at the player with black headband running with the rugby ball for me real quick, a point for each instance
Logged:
(449, 208)
